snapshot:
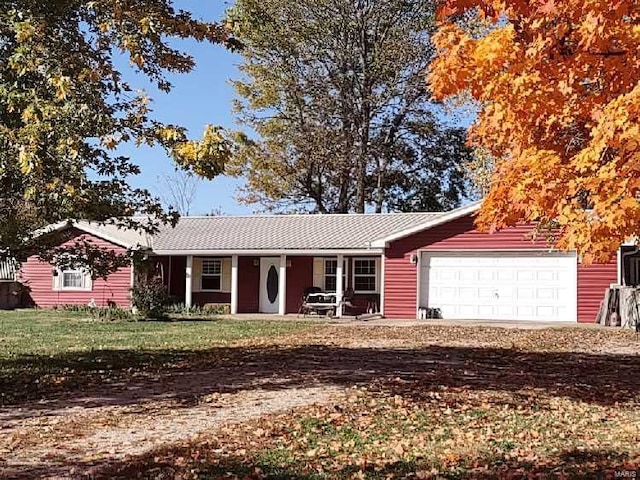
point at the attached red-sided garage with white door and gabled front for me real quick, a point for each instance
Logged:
(512, 274)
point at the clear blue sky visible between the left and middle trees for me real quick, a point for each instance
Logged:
(199, 98)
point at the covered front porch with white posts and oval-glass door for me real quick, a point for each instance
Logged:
(272, 284)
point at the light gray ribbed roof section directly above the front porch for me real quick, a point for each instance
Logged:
(285, 232)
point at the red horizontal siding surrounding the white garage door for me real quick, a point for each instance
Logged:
(401, 275)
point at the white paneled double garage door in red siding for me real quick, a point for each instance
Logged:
(500, 285)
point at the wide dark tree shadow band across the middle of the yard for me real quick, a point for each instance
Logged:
(110, 377)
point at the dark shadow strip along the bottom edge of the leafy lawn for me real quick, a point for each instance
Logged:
(176, 463)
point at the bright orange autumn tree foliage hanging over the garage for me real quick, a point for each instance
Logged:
(558, 92)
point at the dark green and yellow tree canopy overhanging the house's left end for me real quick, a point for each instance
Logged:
(65, 108)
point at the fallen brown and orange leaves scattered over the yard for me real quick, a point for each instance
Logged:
(430, 401)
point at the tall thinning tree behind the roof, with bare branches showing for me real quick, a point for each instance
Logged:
(334, 90)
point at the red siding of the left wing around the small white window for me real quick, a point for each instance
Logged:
(38, 276)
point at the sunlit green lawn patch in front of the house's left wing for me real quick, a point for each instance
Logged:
(41, 351)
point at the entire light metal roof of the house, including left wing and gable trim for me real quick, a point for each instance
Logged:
(275, 233)
